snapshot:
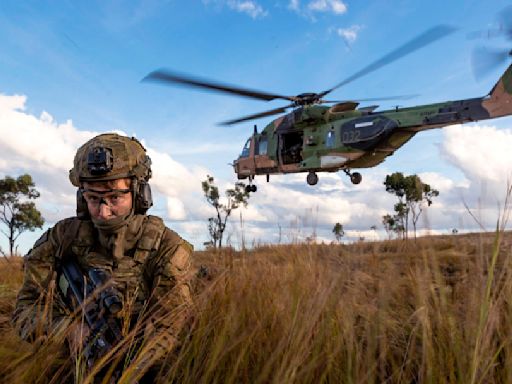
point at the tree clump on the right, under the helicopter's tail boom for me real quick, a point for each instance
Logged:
(412, 195)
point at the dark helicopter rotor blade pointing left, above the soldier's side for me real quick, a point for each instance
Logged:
(168, 77)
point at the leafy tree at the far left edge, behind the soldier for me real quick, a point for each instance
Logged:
(18, 214)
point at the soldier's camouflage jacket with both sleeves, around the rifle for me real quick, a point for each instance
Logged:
(152, 272)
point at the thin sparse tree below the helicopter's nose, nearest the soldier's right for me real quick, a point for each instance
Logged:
(234, 198)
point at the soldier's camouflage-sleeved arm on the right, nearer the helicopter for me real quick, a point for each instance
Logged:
(171, 295)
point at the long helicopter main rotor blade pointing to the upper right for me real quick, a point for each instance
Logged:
(418, 42)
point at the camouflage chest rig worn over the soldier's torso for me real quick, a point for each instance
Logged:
(132, 273)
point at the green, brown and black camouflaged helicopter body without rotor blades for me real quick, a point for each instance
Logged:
(319, 138)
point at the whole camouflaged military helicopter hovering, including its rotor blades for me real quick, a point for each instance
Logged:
(315, 137)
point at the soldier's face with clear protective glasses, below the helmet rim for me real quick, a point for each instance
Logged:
(108, 200)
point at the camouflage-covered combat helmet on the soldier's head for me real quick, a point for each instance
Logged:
(118, 157)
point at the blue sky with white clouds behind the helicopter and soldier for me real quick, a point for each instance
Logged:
(71, 70)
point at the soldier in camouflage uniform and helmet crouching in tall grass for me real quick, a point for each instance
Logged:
(149, 265)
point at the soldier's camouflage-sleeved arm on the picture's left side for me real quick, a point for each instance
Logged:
(38, 312)
